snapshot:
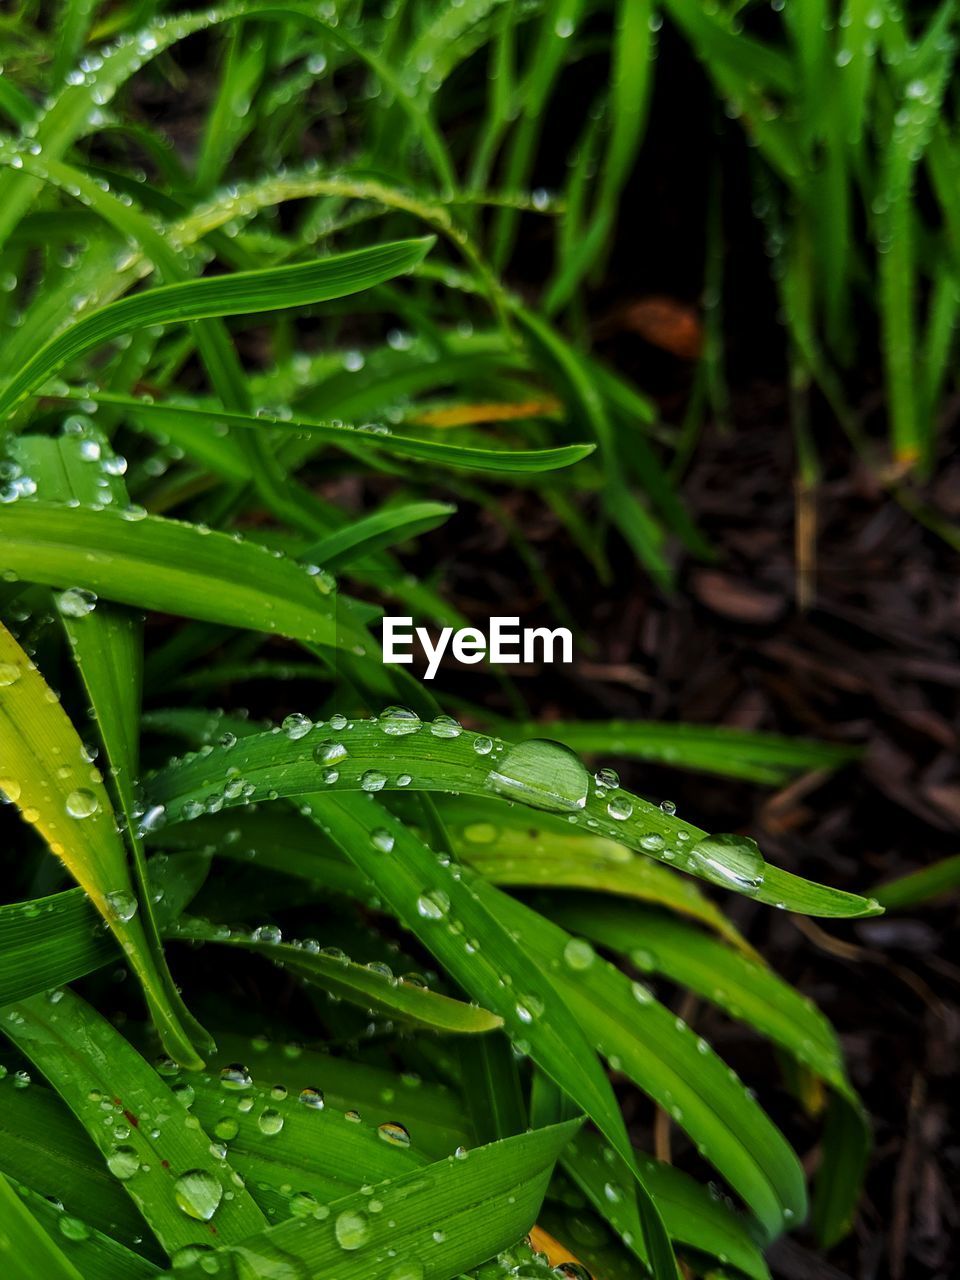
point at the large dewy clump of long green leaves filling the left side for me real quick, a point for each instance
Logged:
(414, 948)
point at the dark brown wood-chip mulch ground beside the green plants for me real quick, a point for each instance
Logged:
(875, 662)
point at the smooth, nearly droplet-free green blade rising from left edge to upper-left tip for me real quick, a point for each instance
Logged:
(239, 294)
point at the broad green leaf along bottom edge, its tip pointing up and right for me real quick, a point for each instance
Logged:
(438, 1222)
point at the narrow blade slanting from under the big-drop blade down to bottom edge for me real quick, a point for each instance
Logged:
(468, 936)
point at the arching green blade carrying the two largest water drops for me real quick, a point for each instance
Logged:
(452, 765)
